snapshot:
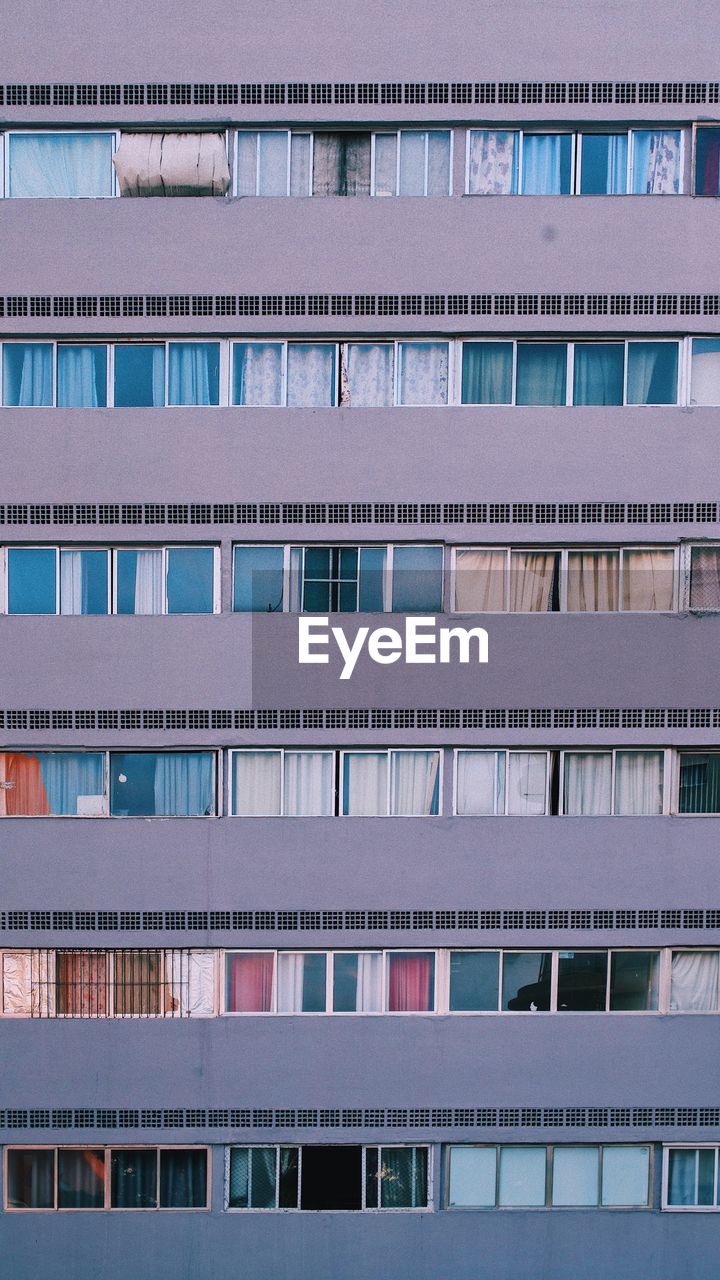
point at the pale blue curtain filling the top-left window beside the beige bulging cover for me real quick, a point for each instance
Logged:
(61, 164)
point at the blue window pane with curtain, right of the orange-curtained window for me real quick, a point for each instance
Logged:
(166, 785)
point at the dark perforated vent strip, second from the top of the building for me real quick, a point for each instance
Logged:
(138, 305)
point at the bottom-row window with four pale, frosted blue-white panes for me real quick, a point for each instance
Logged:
(514, 1177)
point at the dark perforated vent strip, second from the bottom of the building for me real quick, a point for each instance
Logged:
(363, 920)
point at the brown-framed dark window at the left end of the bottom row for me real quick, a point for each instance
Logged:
(102, 1178)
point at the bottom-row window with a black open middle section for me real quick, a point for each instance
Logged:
(327, 1178)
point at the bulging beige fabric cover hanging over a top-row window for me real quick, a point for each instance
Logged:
(172, 164)
